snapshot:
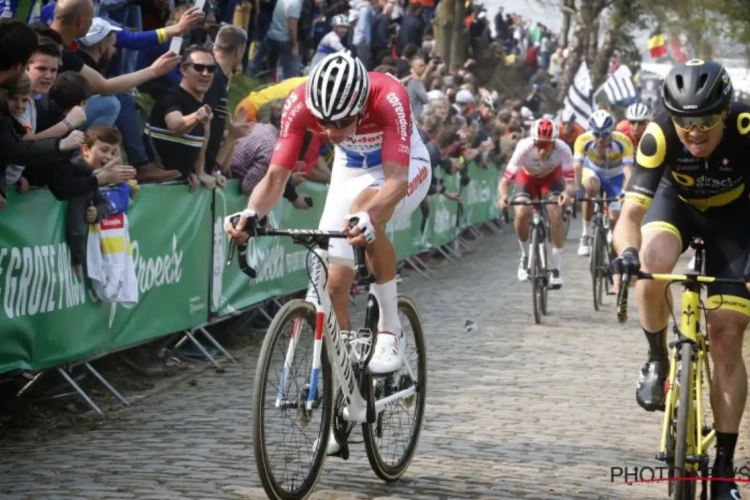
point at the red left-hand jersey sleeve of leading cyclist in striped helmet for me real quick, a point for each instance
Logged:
(296, 119)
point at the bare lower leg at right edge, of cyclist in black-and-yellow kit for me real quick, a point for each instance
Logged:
(729, 390)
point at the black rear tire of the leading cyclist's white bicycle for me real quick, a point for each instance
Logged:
(390, 473)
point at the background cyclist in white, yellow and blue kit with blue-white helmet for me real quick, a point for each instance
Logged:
(601, 159)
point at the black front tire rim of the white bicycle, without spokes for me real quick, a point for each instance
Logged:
(291, 310)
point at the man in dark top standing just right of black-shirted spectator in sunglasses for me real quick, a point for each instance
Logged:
(227, 51)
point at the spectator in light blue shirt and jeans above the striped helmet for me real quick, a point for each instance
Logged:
(282, 39)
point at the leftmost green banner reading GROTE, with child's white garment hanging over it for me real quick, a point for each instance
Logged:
(50, 316)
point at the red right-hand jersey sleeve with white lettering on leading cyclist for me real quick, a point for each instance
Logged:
(394, 110)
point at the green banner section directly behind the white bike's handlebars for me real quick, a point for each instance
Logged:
(280, 264)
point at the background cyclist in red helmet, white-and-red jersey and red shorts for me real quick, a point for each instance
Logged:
(542, 166)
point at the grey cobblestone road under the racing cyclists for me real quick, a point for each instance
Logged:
(515, 411)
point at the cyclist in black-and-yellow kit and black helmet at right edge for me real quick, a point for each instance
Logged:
(690, 179)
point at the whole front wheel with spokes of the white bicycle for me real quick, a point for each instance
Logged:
(291, 397)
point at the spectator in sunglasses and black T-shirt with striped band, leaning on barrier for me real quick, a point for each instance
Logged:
(177, 130)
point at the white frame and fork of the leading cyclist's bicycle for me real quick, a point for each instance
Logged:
(326, 327)
